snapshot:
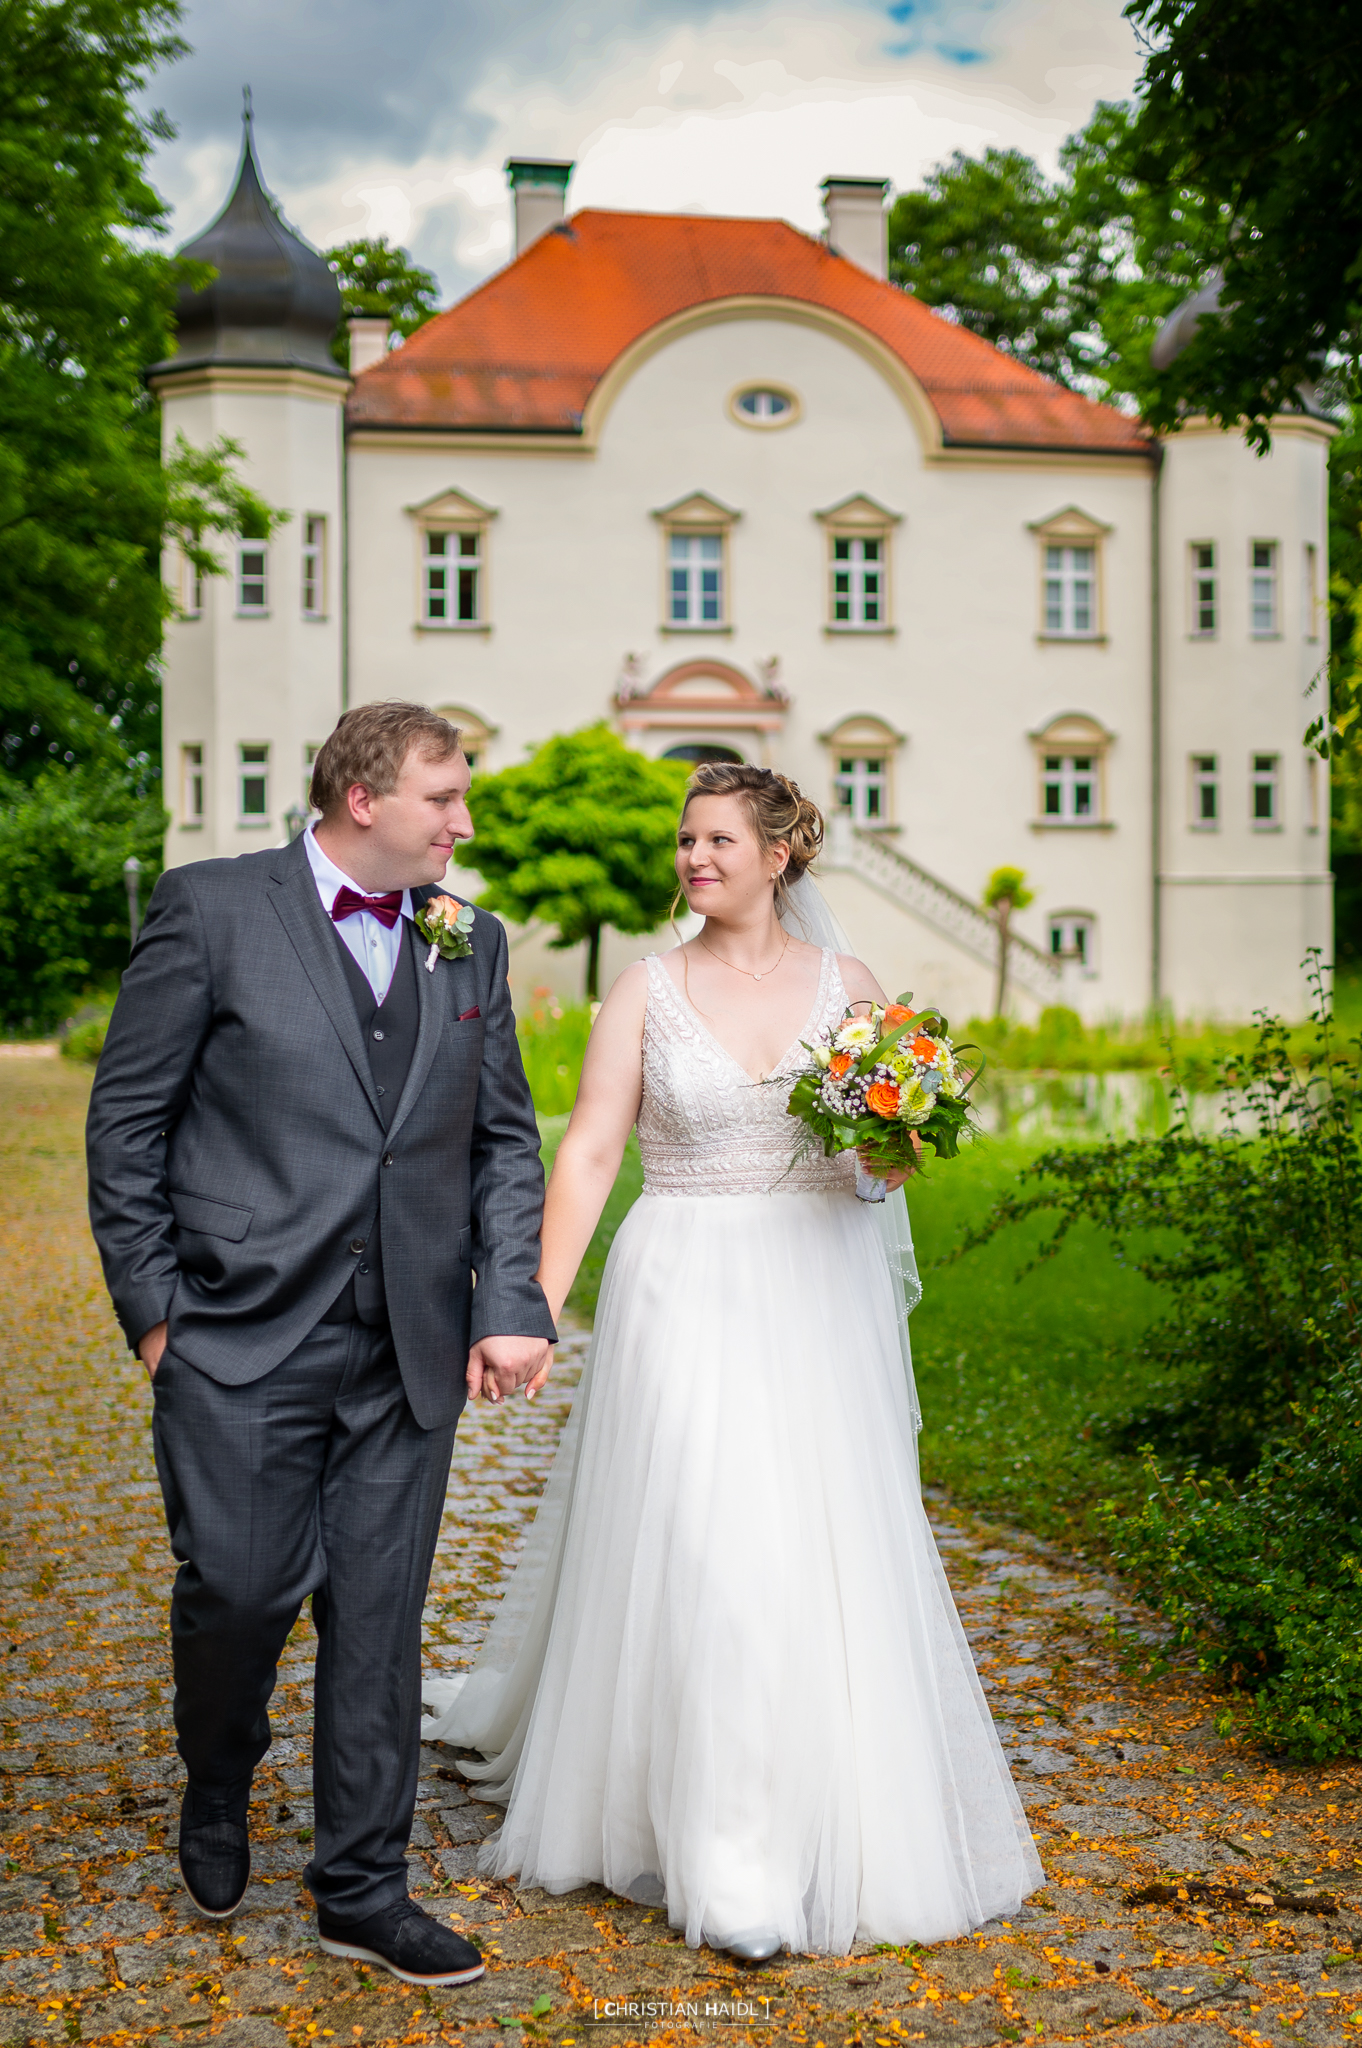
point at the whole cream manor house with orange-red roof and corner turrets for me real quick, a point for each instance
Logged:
(724, 486)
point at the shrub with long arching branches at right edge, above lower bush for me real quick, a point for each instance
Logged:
(1259, 1238)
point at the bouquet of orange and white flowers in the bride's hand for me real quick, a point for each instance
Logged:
(876, 1080)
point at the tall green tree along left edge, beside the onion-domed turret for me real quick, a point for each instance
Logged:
(85, 501)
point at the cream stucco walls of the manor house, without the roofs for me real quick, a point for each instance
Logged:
(972, 718)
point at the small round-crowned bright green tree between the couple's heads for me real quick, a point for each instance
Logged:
(579, 837)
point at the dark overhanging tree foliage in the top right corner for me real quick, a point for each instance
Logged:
(1252, 105)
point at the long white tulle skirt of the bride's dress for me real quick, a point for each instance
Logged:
(728, 1672)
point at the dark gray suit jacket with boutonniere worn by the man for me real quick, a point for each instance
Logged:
(239, 1158)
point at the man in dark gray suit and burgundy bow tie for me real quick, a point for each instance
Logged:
(306, 1136)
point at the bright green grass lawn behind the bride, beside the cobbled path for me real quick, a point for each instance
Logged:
(1011, 1373)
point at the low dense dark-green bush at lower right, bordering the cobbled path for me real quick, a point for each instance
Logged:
(1267, 1578)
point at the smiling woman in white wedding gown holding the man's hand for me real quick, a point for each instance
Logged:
(728, 1674)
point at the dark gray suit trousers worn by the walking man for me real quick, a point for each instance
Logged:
(310, 1482)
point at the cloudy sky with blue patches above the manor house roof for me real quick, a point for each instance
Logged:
(396, 116)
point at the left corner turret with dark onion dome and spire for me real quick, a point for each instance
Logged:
(255, 656)
